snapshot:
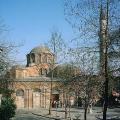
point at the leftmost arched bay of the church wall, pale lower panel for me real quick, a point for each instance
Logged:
(20, 98)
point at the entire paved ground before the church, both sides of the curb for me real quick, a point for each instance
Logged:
(42, 114)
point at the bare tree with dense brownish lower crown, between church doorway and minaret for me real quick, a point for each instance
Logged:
(87, 85)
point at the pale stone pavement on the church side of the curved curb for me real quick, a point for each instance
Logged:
(74, 113)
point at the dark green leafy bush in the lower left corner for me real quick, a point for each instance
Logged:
(7, 108)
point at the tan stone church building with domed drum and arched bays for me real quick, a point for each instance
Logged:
(31, 84)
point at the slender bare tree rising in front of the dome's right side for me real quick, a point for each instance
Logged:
(57, 45)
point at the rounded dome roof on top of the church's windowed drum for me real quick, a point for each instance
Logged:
(40, 49)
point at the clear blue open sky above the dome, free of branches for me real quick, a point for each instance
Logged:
(30, 22)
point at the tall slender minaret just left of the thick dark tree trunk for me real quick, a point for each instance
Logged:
(102, 37)
